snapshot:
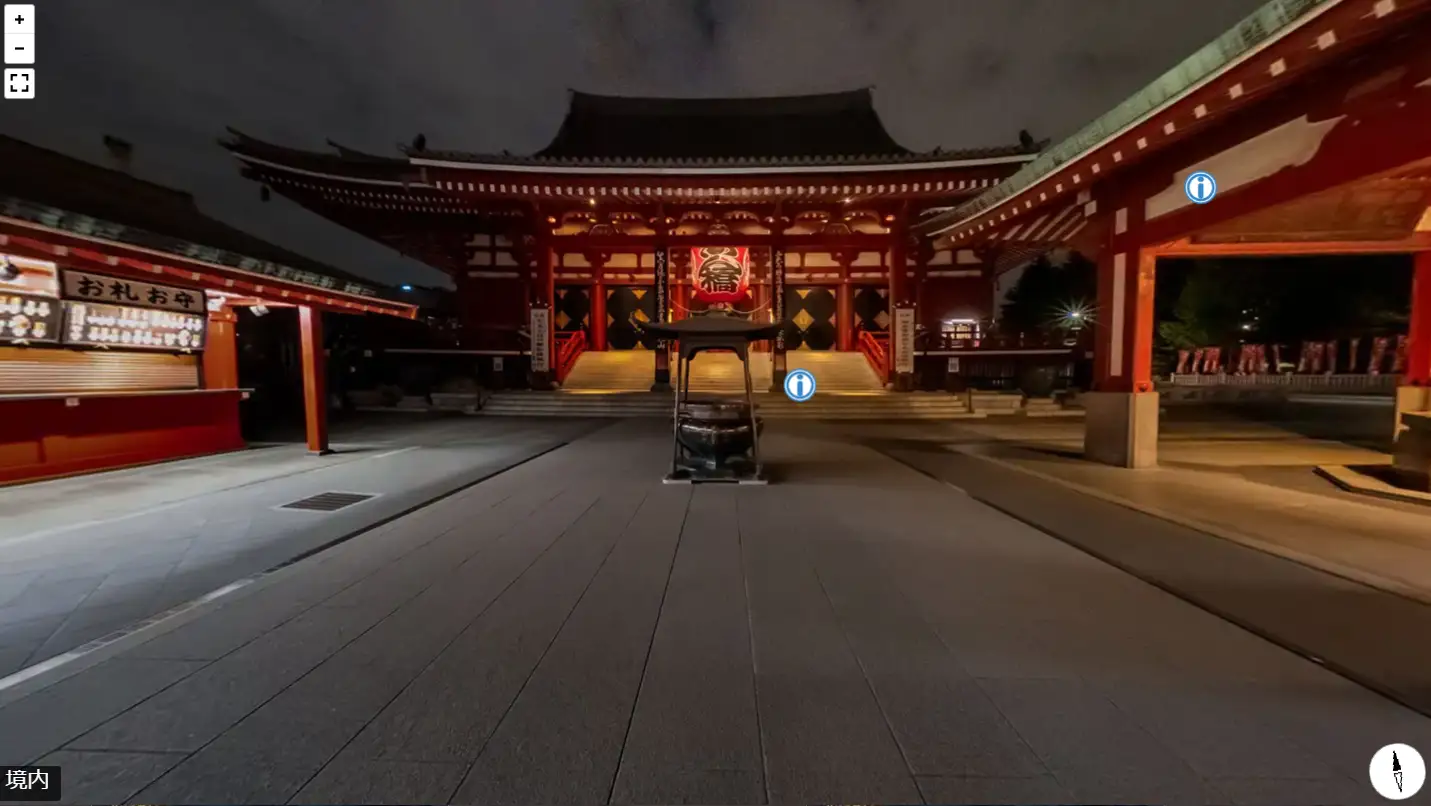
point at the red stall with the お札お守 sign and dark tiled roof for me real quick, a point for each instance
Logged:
(118, 320)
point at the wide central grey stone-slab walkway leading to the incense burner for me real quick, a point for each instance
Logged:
(576, 632)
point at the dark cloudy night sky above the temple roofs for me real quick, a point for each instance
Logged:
(492, 75)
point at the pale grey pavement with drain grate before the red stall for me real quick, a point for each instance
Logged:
(91, 555)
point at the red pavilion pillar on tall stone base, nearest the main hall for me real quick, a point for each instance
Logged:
(1121, 424)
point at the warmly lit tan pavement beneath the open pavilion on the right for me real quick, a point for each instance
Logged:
(1253, 483)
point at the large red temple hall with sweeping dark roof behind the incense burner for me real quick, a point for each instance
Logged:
(583, 241)
